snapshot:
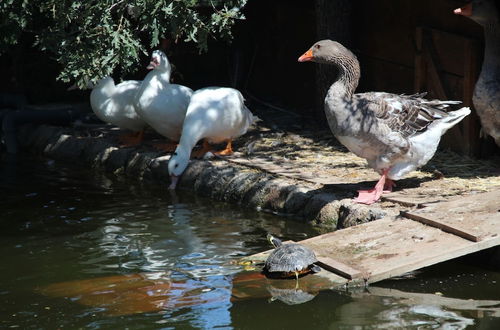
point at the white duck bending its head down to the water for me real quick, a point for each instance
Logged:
(215, 114)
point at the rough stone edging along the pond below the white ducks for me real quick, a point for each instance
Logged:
(217, 179)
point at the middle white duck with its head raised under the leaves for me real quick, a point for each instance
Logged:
(161, 104)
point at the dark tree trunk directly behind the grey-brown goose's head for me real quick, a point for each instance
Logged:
(333, 21)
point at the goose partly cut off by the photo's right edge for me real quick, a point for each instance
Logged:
(486, 97)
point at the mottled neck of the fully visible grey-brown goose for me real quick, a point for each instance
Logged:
(347, 79)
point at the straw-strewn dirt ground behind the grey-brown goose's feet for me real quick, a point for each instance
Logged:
(287, 144)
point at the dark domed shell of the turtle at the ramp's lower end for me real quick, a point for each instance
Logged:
(290, 258)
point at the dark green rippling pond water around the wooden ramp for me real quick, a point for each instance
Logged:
(67, 227)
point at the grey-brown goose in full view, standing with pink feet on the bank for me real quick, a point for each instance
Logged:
(395, 133)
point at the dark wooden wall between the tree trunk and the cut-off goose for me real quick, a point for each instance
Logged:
(415, 46)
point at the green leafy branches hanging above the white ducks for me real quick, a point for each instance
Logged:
(90, 38)
